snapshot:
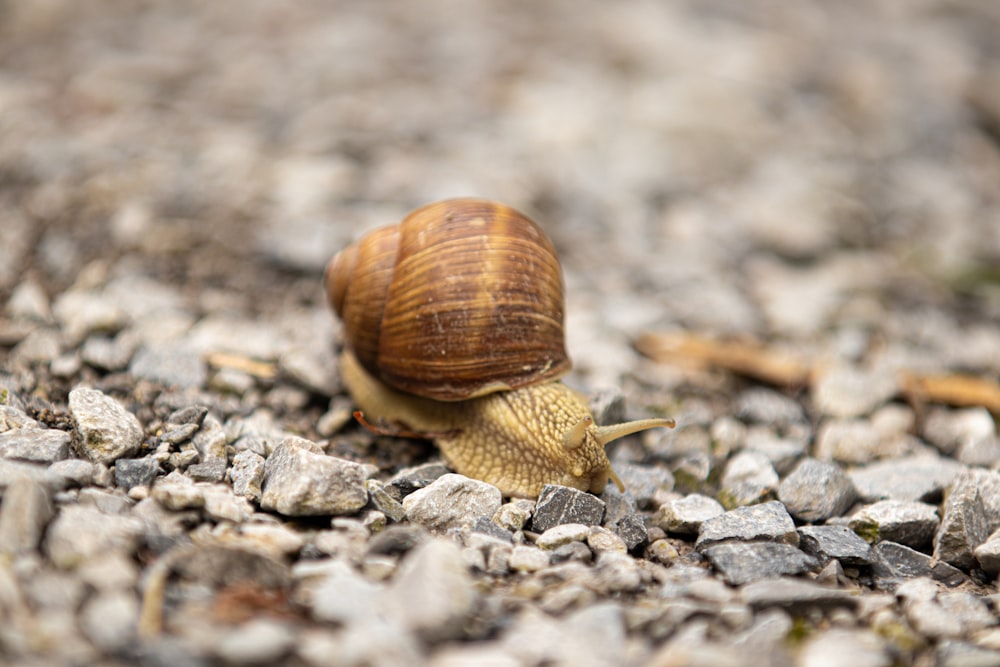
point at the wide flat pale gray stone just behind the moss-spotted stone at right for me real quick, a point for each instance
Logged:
(918, 477)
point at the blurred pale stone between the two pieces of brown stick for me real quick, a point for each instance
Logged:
(848, 391)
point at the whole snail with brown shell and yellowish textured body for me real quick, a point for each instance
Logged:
(453, 324)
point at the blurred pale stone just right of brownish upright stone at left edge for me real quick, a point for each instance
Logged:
(80, 533)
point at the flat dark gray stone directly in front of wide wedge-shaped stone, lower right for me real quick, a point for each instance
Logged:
(743, 562)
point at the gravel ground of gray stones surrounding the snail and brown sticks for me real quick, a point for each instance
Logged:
(181, 481)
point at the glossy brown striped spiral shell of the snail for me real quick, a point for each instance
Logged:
(462, 298)
